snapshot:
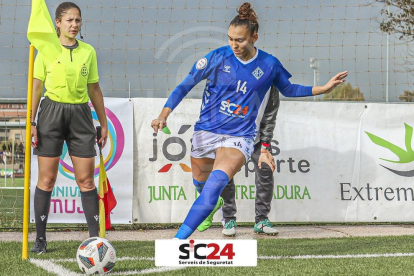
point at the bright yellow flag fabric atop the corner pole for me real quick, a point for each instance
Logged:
(42, 33)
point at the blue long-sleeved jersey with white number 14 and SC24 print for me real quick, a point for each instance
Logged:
(236, 91)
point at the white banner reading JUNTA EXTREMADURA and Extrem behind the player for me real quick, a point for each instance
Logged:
(343, 162)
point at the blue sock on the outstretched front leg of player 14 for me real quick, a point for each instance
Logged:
(204, 204)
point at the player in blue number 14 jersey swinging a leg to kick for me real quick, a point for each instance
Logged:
(239, 77)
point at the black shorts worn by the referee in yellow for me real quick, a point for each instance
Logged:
(59, 122)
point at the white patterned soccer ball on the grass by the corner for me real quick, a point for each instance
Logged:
(96, 256)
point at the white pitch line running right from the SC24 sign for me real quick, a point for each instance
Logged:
(349, 256)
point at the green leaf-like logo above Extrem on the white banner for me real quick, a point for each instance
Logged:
(404, 155)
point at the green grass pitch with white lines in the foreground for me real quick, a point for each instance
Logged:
(141, 258)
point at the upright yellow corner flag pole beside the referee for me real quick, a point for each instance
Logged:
(26, 200)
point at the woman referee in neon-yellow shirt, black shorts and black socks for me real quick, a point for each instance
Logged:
(64, 115)
